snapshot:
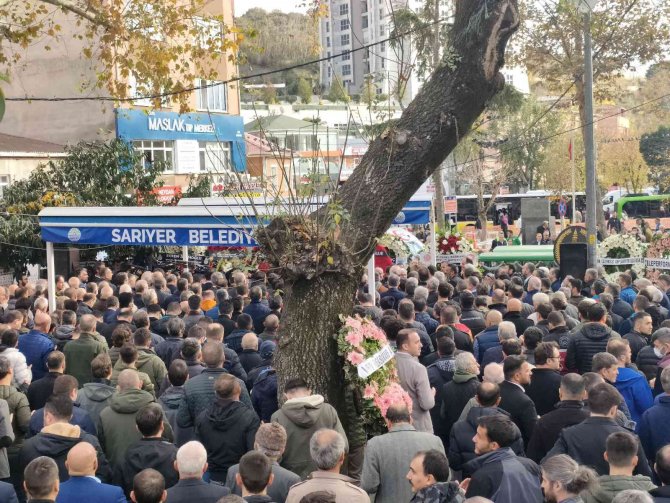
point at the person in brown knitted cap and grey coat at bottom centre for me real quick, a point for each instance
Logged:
(271, 441)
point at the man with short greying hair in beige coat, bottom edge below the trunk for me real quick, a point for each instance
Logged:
(327, 448)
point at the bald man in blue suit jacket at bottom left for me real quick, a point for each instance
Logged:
(83, 487)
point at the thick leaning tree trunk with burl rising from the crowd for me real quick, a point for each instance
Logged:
(323, 258)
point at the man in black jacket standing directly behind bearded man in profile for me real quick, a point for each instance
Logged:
(461, 444)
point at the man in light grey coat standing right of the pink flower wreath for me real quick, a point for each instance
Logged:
(414, 378)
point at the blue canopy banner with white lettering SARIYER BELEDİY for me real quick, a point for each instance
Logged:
(145, 236)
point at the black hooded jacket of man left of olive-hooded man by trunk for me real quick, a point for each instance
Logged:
(227, 429)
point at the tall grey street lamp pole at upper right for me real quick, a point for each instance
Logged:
(586, 7)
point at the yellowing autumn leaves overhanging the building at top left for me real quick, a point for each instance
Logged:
(163, 45)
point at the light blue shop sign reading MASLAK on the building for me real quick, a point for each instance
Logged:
(132, 124)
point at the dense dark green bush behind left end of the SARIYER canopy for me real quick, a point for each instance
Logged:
(92, 174)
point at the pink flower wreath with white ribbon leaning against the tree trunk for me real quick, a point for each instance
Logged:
(357, 340)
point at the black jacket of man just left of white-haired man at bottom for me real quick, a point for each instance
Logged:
(153, 453)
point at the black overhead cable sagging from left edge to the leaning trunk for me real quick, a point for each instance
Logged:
(233, 79)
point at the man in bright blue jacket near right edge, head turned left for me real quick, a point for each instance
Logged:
(632, 385)
